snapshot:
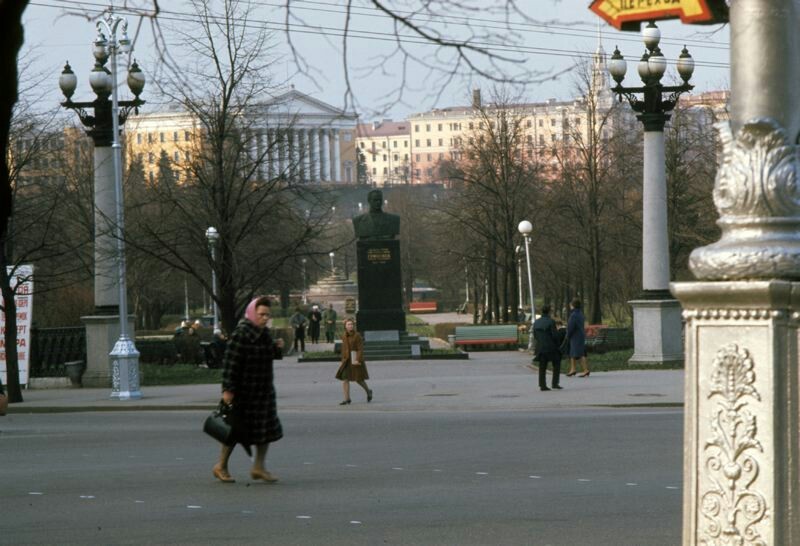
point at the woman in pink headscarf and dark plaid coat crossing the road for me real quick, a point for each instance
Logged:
(247, 383)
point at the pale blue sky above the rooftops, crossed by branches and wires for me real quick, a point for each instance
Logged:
(537, 50)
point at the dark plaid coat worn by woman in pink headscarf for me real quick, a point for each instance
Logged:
(248, 375)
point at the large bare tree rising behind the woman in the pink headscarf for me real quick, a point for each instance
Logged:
(228, 183)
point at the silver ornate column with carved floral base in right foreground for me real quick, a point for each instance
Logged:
(741, 445)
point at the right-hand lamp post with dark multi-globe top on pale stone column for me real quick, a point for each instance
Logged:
(656, 314)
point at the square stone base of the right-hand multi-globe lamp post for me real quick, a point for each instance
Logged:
(656, 333)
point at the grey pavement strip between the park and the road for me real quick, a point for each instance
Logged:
(491, 381)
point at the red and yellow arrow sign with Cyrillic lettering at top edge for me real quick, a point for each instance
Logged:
(622, 12)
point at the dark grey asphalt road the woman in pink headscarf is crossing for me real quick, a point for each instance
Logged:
(587, 476)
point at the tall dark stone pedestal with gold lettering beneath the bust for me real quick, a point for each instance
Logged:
(380, 293)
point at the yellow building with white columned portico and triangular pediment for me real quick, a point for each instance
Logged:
(293, 136)
